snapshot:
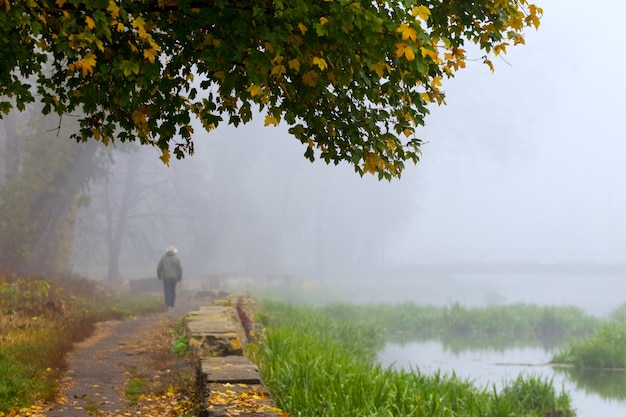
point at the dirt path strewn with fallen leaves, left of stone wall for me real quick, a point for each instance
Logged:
(120, 351)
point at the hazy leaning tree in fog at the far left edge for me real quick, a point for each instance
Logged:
(45, 177)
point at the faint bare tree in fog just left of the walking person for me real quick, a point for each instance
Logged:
(138, 208)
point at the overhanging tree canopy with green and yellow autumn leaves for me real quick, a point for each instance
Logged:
(352, 79)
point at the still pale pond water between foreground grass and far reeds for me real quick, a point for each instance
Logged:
(592, 393)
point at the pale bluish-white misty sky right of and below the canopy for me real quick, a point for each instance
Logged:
(522, 164)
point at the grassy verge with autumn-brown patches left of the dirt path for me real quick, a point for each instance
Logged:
(41, 320)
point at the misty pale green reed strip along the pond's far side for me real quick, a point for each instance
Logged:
(464, 328)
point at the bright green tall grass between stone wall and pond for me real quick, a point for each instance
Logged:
(321, 362)
